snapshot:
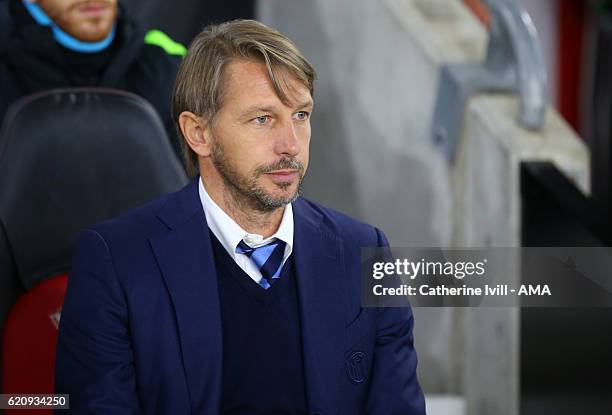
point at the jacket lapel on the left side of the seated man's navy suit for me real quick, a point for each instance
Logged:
(186, 261)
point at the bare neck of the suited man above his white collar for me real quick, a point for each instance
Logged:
(248, 218)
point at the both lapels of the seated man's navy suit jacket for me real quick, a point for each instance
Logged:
(185, 258)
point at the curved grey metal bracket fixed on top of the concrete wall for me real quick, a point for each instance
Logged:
(514, 63)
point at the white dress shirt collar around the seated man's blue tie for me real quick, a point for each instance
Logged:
(229, 233)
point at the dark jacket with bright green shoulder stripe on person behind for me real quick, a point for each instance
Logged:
(31, 60)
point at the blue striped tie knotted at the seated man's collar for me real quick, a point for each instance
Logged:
(268, 258)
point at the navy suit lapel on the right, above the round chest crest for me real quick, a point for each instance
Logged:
(320, 277)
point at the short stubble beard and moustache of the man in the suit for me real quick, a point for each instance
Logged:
(246, 192)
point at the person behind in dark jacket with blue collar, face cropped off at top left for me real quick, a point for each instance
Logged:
(85, 43)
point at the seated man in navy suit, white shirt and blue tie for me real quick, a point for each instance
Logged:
(234, 295)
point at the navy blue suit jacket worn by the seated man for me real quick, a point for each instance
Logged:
(140, 330)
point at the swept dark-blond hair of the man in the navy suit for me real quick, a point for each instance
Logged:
(199, 88)
